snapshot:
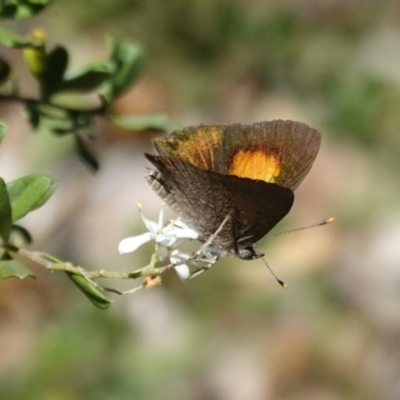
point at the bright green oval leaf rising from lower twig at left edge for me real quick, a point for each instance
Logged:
(29, 193)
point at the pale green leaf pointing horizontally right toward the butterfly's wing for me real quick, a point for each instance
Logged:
(158, 121)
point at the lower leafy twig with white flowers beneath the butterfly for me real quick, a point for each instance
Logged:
(19, 197)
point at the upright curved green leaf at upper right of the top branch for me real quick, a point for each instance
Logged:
(127, 60)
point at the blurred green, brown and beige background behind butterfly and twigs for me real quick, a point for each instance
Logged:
(231, 333)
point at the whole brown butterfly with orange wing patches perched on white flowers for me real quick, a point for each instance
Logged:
(237, 180)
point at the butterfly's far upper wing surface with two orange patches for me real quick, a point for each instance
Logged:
(278, 151)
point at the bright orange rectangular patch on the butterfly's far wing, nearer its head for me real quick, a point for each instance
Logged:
(255, 165)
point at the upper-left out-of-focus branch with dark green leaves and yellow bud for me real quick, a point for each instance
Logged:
(108, 79)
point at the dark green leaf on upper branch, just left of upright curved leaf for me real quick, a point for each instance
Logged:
(87, 77)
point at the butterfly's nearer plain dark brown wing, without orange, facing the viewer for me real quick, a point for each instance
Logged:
(205, 198)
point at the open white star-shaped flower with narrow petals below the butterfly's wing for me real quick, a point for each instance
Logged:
(168, 236)
